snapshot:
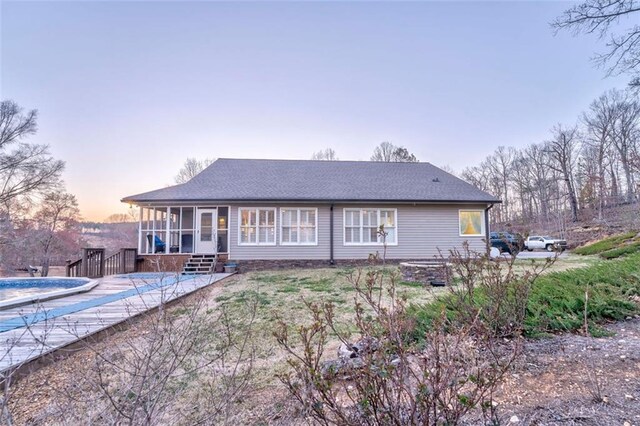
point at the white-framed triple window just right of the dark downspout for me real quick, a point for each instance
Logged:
(361, 226)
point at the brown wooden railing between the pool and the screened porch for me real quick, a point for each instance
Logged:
(94, 264)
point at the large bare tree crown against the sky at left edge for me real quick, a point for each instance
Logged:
(24, 168)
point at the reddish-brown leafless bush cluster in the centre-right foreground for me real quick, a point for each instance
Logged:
(393, 380)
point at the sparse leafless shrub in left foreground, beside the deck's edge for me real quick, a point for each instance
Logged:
(186, 365)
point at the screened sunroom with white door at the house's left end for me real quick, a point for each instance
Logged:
(183, 230)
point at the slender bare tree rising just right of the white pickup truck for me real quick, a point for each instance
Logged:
(563, 149)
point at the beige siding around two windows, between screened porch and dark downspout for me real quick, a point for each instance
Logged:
(279, 251)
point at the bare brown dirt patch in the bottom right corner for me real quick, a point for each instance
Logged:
(577, 380)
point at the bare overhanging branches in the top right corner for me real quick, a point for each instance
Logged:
(600, 17)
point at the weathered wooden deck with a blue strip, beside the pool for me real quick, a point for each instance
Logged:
(61, 322)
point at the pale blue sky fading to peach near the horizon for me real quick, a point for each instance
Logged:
(126, 91)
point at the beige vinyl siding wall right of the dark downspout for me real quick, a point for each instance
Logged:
(421, 230)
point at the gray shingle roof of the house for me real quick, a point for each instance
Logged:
(304, 180)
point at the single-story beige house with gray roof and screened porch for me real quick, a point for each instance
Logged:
(292, 212)
